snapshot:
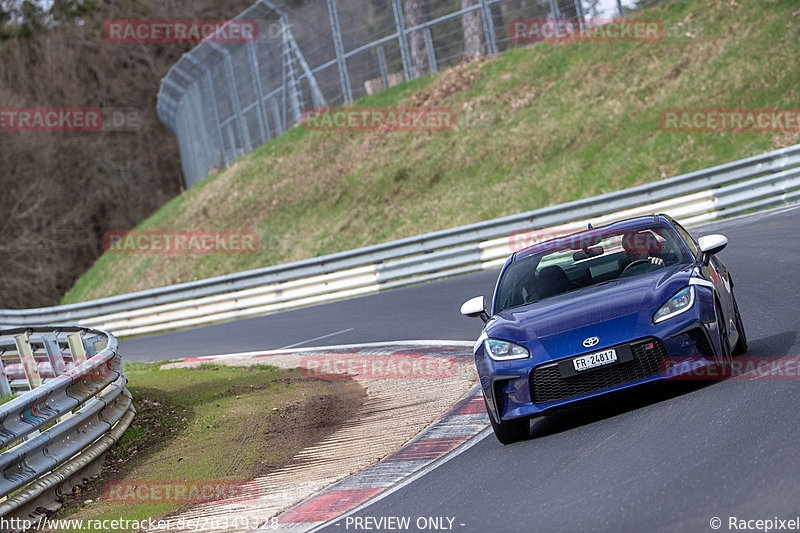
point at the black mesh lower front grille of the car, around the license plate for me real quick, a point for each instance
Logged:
(547, 385)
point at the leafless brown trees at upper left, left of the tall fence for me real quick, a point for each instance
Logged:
(61, 191)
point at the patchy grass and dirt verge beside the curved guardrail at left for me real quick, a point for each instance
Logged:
(211, 424)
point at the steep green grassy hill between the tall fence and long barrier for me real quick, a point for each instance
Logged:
(537, 126)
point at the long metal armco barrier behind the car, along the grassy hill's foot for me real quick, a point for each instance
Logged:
(758, 182)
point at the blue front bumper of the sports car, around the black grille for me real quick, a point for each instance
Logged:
(533, 387)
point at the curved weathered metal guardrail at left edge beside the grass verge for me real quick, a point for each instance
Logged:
(55, 434)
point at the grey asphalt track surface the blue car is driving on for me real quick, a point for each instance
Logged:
(663, 458)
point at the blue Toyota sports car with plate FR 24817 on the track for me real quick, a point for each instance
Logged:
(598, 311)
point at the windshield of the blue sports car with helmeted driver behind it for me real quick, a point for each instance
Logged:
(584, 261)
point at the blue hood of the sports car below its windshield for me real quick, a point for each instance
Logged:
(628, 302)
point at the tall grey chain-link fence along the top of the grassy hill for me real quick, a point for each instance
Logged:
(223, 100)
